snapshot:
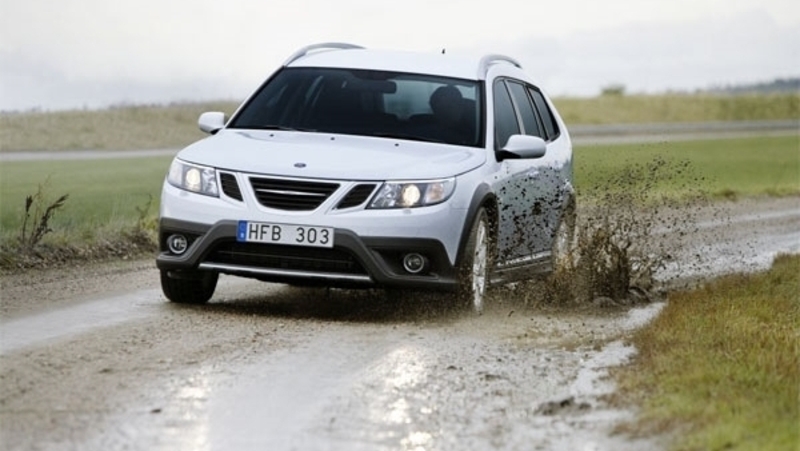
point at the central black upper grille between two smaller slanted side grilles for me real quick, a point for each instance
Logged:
(294, 195)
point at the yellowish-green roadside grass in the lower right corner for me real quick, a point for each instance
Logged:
(719, 368)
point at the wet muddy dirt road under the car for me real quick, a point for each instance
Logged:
(95, 359)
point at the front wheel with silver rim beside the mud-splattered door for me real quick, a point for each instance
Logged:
(475, 264)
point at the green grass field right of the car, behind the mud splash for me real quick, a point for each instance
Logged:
(726, 168)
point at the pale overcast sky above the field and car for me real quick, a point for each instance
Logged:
(96, 53)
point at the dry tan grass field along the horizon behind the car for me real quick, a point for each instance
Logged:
(175, 126)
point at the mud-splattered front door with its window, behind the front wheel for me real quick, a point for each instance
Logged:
(523, 188)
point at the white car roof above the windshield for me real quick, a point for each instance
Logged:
(396, 61)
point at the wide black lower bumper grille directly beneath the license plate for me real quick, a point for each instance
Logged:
(271, 256)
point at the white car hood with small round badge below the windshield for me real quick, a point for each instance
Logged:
(319, 155)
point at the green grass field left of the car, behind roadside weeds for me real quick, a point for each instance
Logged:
(103, 194)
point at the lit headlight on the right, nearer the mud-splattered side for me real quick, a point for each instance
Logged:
(413, 194)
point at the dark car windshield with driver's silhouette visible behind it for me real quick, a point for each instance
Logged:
(366, 102)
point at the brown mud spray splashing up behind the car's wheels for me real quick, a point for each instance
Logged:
(632, 224)
